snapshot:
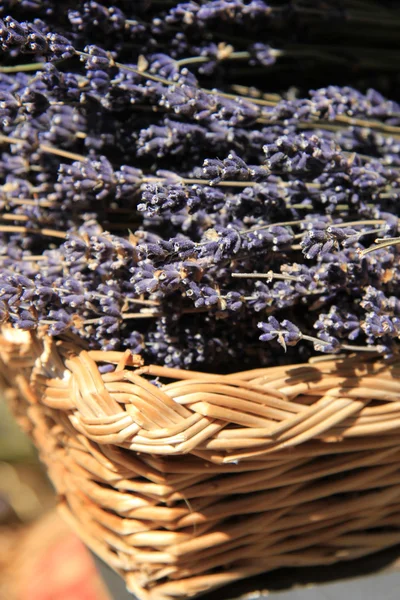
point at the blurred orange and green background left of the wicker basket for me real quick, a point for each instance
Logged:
(40, 559)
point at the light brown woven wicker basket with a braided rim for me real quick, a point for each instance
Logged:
(204, 479)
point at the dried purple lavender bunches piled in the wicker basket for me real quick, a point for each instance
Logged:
(160, 194)
